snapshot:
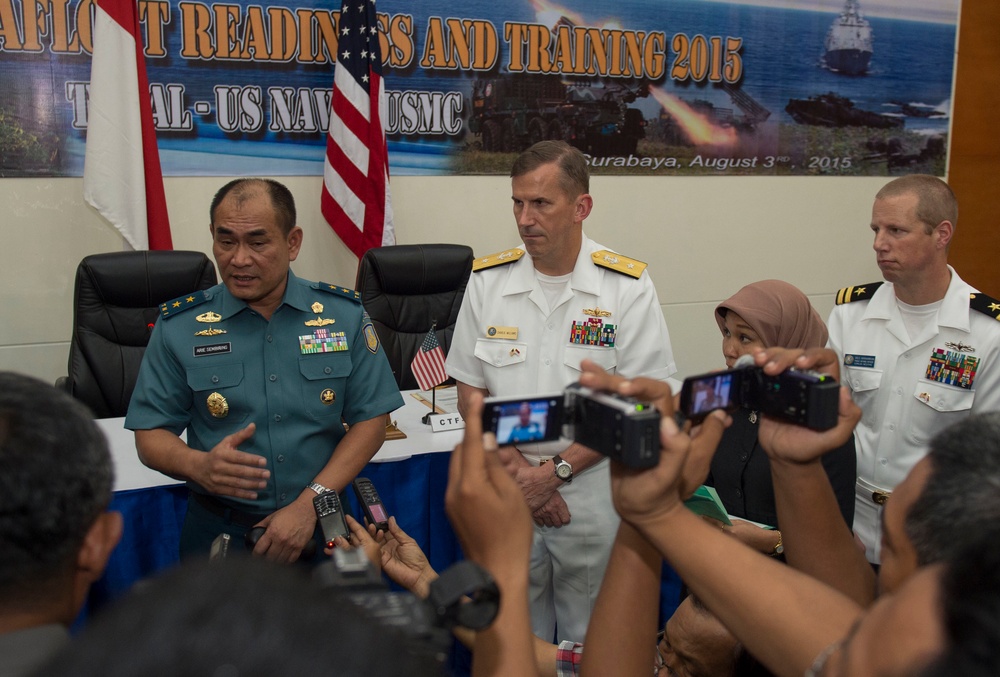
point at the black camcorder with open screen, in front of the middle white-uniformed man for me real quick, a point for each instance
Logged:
(622, 428)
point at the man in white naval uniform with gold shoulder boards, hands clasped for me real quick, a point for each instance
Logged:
(529, 317)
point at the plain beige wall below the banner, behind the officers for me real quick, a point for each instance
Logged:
(704, 237)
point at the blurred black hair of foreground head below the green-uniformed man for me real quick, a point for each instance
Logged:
(238, 616)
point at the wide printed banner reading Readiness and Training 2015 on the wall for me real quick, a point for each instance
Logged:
(663, 87)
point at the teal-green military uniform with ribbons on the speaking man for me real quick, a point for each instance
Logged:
(214, 365)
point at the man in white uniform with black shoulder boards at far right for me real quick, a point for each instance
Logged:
(919, 351)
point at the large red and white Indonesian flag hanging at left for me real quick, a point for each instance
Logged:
(121, 173)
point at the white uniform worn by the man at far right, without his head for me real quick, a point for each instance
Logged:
(904, 388)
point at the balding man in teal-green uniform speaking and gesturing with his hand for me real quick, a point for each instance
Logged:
(263, 371)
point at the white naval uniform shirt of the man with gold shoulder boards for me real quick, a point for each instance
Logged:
(542, 359)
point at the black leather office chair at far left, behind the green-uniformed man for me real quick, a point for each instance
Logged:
(115, 304)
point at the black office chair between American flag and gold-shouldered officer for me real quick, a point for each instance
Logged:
(407, 288)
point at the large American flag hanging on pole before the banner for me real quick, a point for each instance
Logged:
(355, 200)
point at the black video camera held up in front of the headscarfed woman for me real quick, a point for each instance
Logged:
(803, 397)
